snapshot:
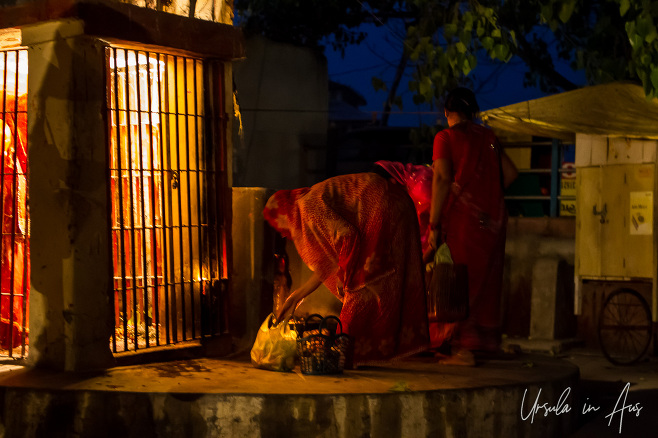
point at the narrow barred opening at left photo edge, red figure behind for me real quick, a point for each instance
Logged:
(14, 278)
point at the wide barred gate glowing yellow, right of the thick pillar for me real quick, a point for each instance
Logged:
(161, 181)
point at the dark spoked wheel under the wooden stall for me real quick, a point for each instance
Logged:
(624, 327)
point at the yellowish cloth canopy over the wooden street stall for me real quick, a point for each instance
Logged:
(615, 110)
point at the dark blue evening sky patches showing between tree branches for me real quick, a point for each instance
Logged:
(496, 84)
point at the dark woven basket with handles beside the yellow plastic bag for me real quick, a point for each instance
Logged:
(323, 350)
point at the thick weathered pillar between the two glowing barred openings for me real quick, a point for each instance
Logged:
(71, 272)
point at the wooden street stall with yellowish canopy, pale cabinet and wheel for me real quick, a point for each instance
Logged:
(615, 133)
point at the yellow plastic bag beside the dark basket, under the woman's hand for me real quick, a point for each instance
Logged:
(275, 346)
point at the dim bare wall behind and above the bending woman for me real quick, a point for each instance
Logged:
(283, 94)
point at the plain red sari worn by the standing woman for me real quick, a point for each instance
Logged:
(474, 221)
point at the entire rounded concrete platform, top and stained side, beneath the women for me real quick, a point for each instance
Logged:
(230, 398)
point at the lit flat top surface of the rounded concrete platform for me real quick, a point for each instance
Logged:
(238, 376)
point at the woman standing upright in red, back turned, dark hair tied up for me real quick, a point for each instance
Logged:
(468, 212)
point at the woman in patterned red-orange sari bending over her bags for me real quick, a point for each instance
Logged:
(359, 235)
